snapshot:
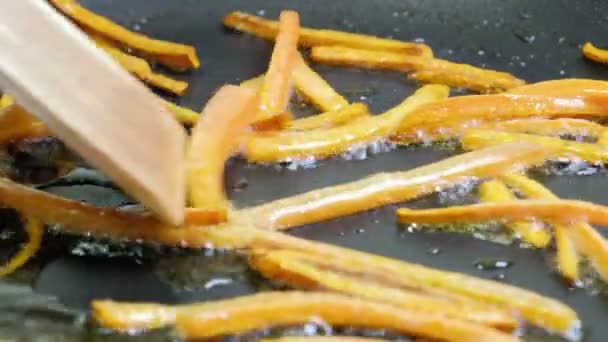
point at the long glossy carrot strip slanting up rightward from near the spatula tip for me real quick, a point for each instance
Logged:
(386, 188)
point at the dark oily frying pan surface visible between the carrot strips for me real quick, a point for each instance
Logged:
(535, 40)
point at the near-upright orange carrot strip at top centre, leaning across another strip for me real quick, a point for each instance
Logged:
(276, 88)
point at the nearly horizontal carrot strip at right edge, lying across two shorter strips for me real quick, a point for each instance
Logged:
(565, 211)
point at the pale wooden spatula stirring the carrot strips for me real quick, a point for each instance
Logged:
(92, 104)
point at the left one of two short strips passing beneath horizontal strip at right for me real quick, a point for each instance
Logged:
(495, 191)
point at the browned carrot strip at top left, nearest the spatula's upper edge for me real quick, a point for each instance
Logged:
(171, 54)
